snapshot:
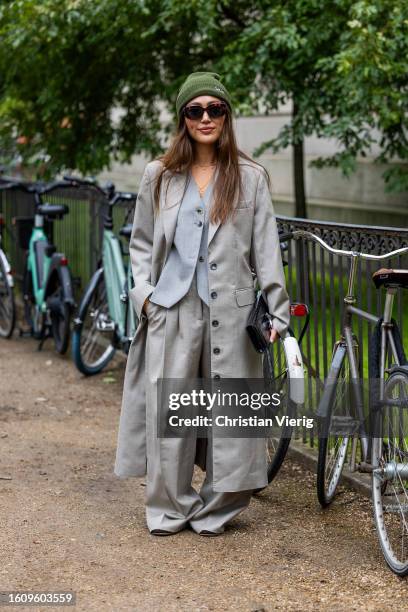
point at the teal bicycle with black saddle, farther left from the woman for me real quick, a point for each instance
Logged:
(47, 285)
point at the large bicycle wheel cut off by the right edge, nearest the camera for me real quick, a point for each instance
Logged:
(390, 473)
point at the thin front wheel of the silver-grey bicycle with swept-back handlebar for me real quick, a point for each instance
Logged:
(334, 437)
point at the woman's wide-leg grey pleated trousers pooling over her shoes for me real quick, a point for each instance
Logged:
(178, 346)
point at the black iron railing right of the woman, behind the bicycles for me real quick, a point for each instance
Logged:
(320, 279)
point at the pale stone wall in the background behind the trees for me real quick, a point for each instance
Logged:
(358, 199)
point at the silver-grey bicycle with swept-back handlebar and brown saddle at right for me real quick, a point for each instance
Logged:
(381, 440)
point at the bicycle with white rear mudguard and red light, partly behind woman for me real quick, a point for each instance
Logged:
(283, 365)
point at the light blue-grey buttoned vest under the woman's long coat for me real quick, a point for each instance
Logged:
(188, 254)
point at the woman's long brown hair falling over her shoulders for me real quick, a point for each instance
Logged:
(179, 158)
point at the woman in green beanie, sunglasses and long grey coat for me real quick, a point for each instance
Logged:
(203, 223)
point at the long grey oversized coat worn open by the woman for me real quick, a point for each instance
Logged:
(248, 241)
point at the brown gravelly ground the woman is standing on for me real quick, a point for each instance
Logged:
(68, 523)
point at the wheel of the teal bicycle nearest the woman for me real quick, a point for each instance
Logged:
(93, 348)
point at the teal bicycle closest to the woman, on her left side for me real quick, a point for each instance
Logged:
(105, 321)
